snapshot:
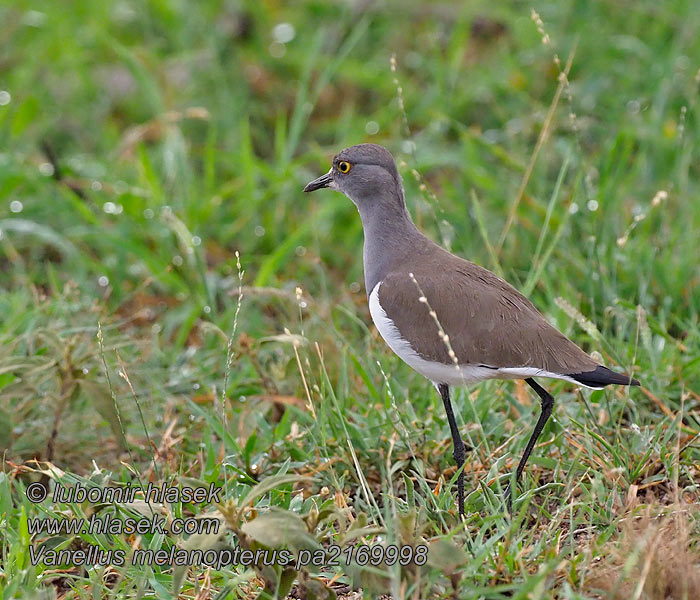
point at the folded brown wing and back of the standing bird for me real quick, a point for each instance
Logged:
(487, 320)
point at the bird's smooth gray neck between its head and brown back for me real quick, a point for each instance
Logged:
(390, 235)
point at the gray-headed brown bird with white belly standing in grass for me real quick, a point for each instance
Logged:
(451, 320)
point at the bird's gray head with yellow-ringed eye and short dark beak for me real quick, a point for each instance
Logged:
(366, 174)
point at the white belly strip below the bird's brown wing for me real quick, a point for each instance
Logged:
(439, 372)
